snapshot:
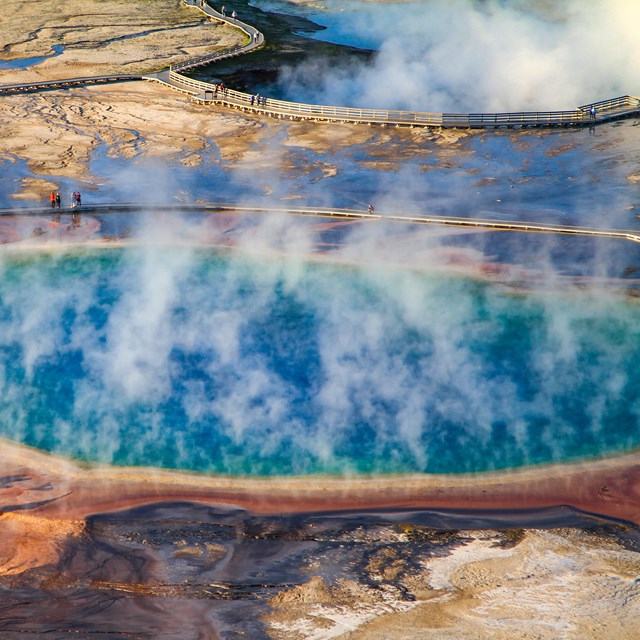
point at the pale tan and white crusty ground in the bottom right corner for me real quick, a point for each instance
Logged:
(552, 584)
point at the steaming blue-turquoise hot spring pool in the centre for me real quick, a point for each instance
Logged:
(218, 363)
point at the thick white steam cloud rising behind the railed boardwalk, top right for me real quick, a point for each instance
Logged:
(465, 56)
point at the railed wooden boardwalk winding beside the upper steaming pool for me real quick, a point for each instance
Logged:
(207, 93)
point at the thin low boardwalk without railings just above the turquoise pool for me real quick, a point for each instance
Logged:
(336, 214)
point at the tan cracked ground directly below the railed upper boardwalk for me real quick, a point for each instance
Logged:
(55, 133)
